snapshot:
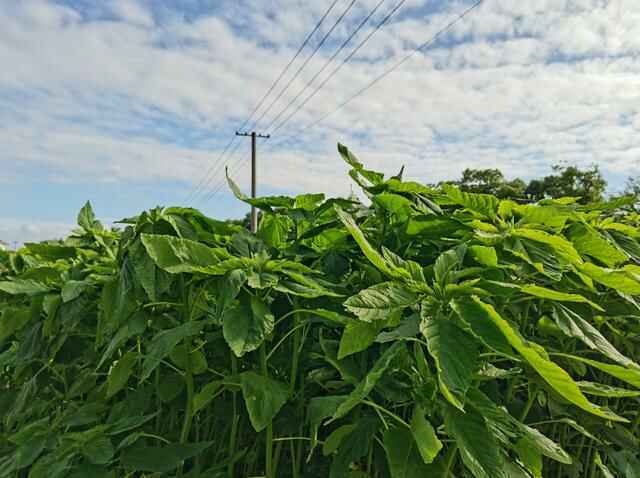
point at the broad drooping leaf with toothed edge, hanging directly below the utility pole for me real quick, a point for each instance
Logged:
(246, 325)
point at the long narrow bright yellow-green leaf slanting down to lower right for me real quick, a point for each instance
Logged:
(555, 376)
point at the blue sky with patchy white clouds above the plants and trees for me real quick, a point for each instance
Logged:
(130, 103)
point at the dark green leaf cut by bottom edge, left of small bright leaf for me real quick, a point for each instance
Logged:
(403, 456)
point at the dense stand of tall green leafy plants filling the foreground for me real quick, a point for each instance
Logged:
(430, 333)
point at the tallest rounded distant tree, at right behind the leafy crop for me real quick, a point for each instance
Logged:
(588, 184)
